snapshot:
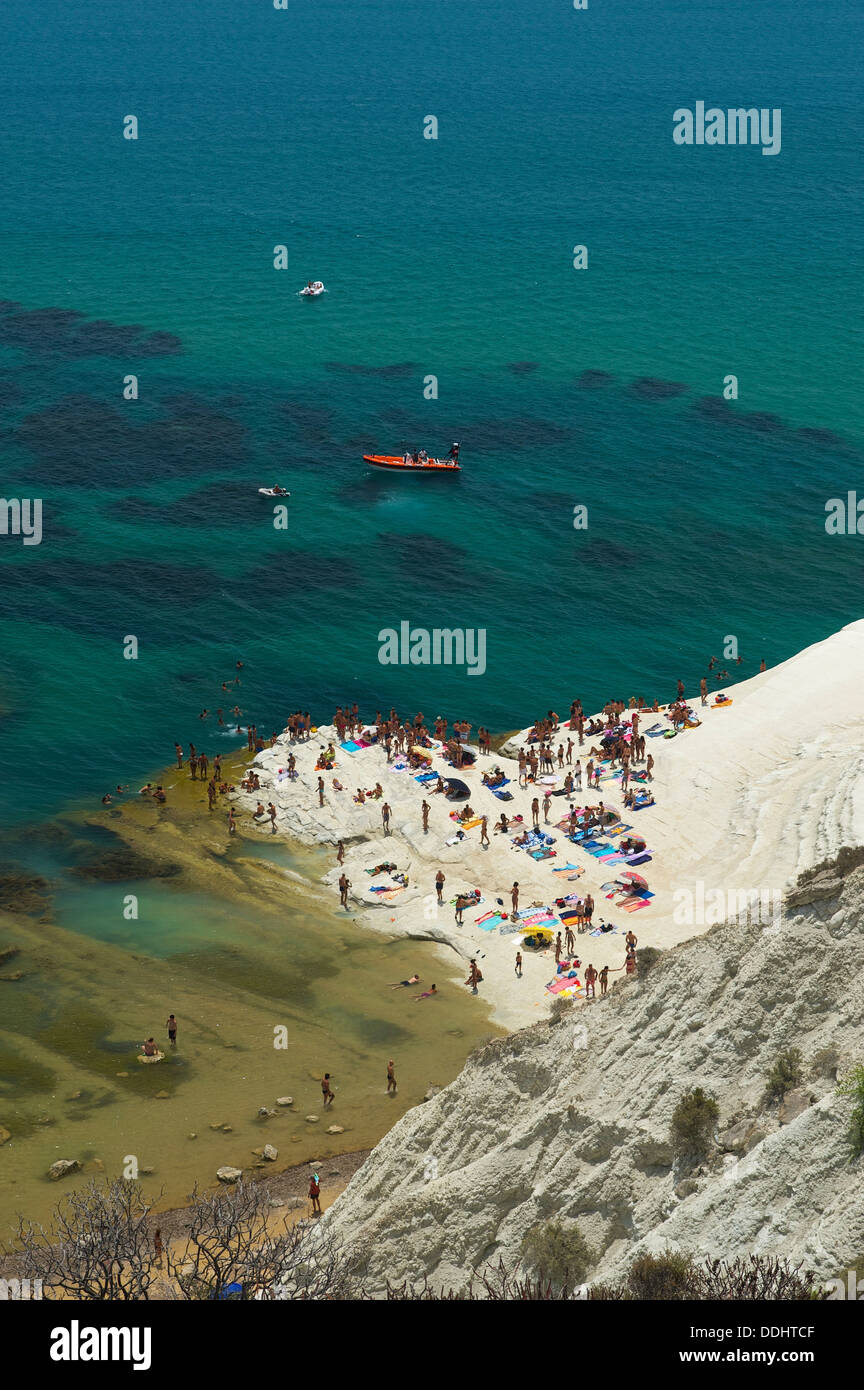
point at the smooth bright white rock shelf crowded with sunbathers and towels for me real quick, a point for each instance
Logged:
(759, 792)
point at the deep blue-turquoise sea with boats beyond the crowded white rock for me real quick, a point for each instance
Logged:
(452, 258)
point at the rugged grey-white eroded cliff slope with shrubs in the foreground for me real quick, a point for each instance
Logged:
(573, 1120)
